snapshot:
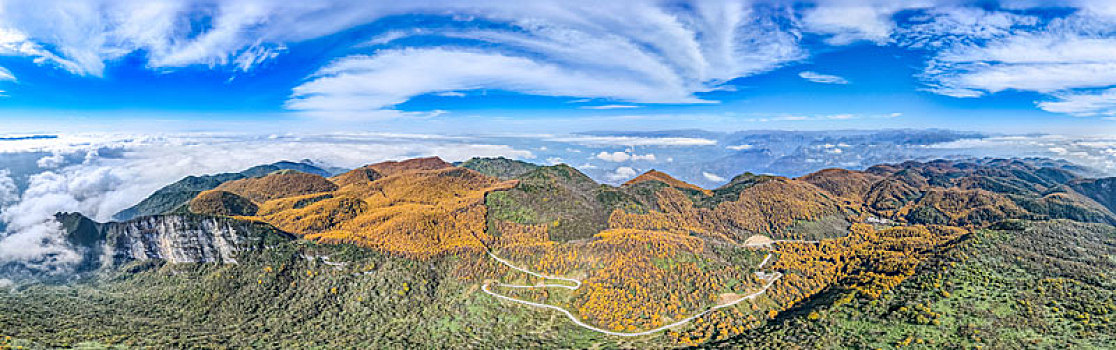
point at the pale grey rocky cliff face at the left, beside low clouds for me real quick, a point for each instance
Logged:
(175, 239)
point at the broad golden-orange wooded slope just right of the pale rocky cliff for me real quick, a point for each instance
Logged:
(416, 208)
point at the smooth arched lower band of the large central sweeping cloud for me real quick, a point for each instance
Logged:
(361, 84)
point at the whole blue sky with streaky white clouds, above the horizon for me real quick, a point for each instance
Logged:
(559, 66)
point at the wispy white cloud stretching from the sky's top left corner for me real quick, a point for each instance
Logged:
(83, 36)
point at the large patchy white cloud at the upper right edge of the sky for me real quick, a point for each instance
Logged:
(982, 53)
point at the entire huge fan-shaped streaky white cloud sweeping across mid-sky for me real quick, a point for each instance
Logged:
(637, 52)
